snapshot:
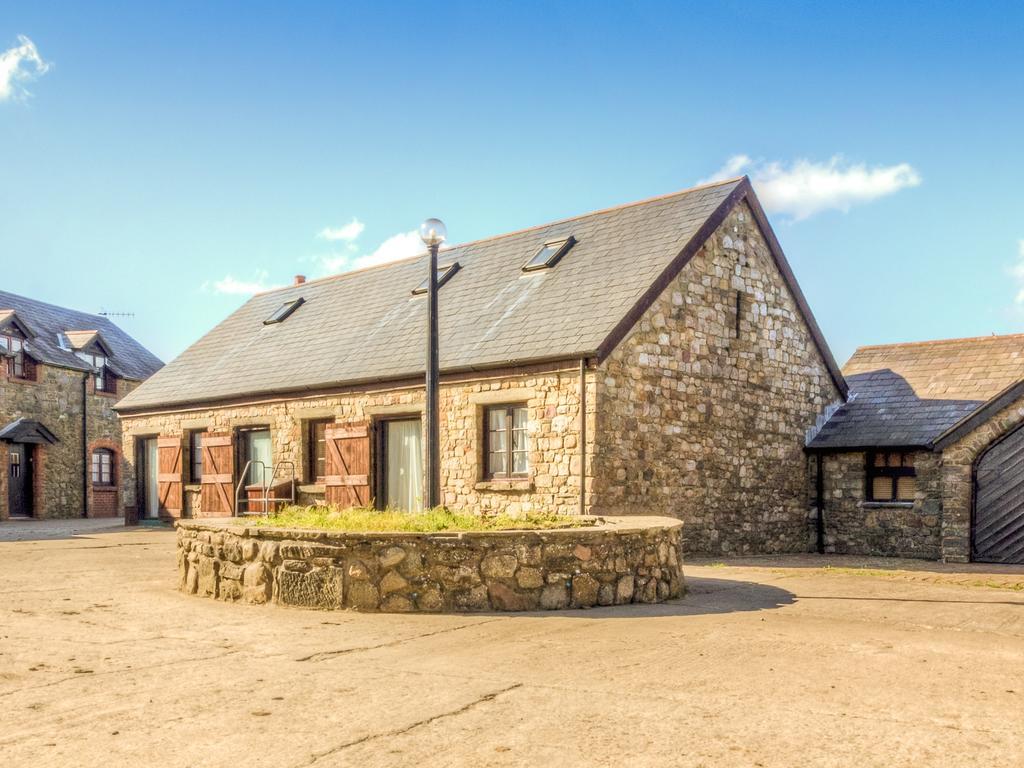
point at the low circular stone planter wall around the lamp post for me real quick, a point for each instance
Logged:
(616, 562)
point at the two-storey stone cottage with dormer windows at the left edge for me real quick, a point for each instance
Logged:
(61, 373)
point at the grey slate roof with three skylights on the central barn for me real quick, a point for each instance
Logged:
(366, 326)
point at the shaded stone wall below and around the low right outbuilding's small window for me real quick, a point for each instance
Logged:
(857, 527)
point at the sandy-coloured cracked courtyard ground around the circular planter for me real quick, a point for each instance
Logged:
(775, 662)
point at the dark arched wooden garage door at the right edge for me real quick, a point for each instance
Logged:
(999, 506)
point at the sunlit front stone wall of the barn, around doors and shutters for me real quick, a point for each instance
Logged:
(553, 410)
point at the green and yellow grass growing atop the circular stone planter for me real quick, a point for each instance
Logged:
(359, 520)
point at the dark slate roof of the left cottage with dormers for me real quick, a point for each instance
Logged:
(47, 323)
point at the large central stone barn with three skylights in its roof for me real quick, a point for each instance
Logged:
(658, 358)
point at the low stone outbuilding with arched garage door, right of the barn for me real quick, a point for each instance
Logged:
(927, 457)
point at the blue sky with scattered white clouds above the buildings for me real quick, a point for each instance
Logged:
(162, 159)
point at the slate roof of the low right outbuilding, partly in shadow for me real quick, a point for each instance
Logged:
(910, 395)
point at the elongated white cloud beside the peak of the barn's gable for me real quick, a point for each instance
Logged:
(805, 188)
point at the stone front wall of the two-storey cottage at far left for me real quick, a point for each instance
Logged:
(55, 400)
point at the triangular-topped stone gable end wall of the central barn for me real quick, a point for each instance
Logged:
(698, 423)
